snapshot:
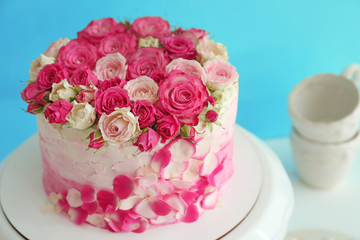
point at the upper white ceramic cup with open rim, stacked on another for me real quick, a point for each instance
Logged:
(326, 107)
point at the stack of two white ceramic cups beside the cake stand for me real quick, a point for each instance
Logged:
(325, 138)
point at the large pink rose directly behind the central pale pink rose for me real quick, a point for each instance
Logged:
(145, 61)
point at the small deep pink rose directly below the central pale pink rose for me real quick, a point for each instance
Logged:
(145, 111)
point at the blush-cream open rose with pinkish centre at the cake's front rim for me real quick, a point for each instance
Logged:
(119, 126)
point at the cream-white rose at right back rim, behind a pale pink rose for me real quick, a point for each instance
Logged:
(208, 49)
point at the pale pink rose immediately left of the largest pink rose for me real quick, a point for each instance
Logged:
(142, 88)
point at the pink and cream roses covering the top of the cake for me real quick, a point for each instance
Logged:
(137, 83)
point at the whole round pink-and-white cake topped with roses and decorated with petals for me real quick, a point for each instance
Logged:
(136, 123)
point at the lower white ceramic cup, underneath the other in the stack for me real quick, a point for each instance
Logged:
(323, 165)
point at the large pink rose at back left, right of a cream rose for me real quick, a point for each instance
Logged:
(78, 53)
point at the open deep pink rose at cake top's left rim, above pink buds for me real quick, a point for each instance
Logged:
(51, 73)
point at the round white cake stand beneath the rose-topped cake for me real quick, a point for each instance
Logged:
(256, 205)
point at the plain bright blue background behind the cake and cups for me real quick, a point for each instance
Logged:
(273, 44)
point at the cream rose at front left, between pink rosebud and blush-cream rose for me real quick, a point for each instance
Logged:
(81, 116)
